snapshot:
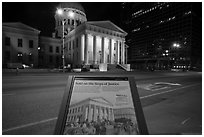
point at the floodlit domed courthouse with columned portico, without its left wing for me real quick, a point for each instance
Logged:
(88, 42)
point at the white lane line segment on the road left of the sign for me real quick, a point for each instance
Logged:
(30, 124)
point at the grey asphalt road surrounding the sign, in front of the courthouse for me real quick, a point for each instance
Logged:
(172, 102)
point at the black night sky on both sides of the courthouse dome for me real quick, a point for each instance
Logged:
(40, 15)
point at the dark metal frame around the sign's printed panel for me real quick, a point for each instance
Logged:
(61, 121)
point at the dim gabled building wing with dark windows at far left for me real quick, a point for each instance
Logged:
(19, 44)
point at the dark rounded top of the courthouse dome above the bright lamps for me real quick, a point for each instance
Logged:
(74, 5)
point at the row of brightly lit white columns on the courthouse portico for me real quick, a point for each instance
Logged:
(97, 49)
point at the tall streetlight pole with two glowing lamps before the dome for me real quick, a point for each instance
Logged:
(71, 15)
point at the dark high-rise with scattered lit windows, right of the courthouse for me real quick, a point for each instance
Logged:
(163, 35)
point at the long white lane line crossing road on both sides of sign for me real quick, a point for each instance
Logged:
(55, 118)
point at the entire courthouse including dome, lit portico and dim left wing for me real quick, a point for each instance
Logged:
(75, 41)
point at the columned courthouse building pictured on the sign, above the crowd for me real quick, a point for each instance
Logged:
(91, 109)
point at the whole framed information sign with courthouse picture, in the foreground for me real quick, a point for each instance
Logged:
(95, 105)
